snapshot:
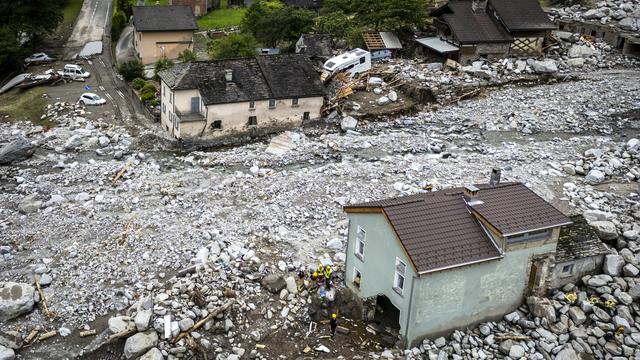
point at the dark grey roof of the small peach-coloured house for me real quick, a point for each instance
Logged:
(164, 18)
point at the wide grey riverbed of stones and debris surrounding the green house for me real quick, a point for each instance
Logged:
(107, 226)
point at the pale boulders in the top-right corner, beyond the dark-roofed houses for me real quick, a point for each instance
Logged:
(623, 14)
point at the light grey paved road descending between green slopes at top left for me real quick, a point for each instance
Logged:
(92, 22)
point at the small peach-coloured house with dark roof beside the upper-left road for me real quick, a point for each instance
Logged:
(162, 31)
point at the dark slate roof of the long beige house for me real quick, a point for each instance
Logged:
(256, 78)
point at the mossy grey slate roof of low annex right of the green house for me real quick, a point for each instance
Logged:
(578, 241)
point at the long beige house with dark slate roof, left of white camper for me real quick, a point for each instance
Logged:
(214, 99)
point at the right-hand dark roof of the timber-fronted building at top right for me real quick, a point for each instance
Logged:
(522, 15)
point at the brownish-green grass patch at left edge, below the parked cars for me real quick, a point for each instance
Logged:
(24, 104)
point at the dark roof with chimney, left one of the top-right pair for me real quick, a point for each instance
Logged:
(470, 27)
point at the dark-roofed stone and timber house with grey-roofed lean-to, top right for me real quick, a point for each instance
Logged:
(492, 29)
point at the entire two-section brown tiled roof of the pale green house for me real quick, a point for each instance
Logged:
(442, 229)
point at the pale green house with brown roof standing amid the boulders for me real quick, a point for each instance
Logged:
(433, 262)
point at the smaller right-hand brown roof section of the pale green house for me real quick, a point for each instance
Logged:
(514, 208)
